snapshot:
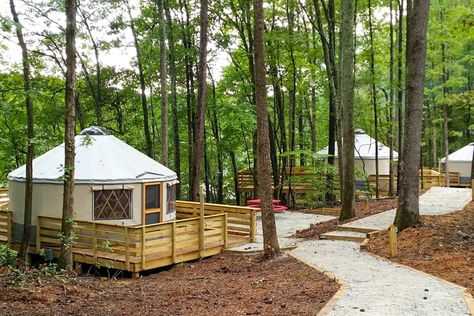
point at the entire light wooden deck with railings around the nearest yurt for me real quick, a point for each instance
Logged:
(146, 247)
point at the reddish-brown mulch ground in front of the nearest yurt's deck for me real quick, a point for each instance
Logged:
(226, 284)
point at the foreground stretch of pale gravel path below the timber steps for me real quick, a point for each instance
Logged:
(379, 287)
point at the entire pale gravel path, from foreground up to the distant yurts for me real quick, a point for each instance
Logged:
(375, 286)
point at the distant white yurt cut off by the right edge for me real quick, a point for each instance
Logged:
(460, 161)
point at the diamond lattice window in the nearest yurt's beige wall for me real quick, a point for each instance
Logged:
(113, 204)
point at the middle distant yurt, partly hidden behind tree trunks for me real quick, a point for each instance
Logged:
(364, 153)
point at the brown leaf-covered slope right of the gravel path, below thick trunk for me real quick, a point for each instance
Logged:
(441, 245)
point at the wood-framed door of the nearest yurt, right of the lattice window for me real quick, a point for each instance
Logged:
(152, 203)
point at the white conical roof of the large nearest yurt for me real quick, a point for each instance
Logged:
(100, 158)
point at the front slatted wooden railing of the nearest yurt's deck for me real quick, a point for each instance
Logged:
(137, 248)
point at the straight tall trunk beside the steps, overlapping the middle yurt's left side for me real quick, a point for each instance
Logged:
(347, 107)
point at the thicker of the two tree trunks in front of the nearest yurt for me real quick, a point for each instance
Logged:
(67, 226)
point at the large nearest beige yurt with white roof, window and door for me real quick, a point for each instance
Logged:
(114, 184)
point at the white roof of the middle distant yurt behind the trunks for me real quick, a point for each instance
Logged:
(365, 147)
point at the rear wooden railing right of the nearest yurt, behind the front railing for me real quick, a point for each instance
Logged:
(241, 221)
